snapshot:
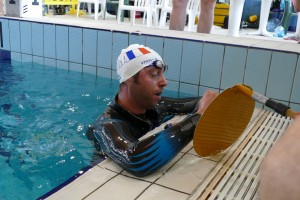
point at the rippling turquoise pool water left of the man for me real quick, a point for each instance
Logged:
(44, 113)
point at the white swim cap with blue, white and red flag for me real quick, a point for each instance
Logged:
(134, 58)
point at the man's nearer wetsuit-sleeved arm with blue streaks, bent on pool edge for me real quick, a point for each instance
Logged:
(144, 157)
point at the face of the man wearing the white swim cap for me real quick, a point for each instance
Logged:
(147, 87)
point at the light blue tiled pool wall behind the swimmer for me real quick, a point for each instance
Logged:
(195, 63)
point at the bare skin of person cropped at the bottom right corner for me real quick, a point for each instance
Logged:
(280, 170)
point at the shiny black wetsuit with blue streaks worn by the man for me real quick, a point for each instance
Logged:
(116, 133)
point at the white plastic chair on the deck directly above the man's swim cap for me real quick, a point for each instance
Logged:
(145, 6)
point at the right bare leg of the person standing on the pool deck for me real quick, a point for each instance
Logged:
(206, 18)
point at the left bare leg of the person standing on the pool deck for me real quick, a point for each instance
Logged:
(178, 15)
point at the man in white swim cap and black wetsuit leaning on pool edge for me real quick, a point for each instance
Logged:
(138, 108)
